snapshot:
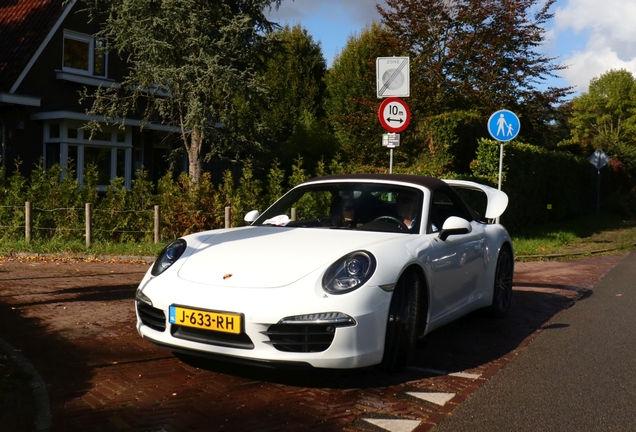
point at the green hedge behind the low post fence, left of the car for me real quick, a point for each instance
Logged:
(127, 215)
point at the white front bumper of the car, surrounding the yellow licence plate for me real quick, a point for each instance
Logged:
(264, 339)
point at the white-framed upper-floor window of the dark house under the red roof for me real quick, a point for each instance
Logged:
(84, 54)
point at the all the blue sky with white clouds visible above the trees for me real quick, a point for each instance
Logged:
(590, 36)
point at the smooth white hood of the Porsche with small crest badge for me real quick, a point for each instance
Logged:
(270, 257)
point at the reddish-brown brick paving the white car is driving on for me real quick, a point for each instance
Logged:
(74, 321)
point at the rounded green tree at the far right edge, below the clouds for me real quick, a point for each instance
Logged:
(605, 116)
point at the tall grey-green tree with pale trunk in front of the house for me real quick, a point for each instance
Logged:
(191, 61)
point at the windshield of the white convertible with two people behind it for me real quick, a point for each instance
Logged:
(348, 205)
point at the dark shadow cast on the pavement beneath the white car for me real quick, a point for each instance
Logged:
(468, 343)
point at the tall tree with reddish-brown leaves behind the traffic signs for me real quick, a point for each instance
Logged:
(477, 55)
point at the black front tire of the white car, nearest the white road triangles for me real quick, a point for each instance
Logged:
(402, 323)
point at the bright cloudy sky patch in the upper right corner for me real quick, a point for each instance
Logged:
(610, 32)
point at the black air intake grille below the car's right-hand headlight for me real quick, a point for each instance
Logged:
(301, 337)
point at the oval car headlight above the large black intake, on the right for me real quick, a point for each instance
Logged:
(349, 273)
